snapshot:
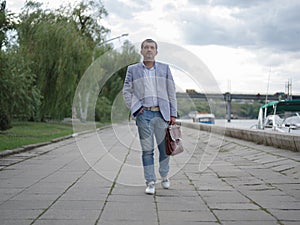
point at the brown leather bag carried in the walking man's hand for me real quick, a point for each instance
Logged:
(173, 140)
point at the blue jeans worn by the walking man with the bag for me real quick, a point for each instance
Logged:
(152, 124)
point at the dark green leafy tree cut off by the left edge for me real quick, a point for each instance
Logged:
(18, 93)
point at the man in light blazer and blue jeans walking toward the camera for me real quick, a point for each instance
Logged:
(149, 92)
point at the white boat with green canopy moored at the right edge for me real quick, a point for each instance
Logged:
(281, 116)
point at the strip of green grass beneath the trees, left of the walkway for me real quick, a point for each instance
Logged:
(25, 133)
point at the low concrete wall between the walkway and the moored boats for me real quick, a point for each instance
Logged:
(279, 140)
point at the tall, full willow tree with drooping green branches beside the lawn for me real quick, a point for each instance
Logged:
(59, 44)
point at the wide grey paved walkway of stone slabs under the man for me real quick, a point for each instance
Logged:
(97, 179)
